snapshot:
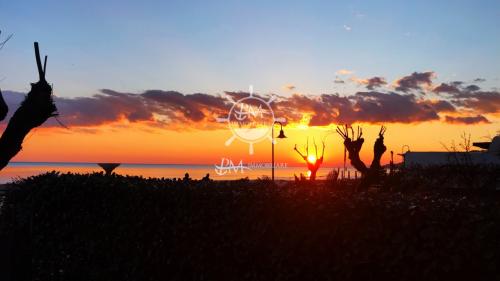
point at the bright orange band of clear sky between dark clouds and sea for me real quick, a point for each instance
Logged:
(135, 143)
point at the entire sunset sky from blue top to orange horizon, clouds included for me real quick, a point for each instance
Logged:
(144, 82)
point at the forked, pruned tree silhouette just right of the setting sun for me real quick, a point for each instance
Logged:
(372, 174)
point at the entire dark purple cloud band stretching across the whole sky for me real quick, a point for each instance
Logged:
(457, 103)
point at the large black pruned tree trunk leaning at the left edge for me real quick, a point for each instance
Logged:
(36, 108)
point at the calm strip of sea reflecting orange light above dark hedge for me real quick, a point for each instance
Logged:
(25, 169)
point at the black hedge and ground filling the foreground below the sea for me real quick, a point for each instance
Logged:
(93, 227)
